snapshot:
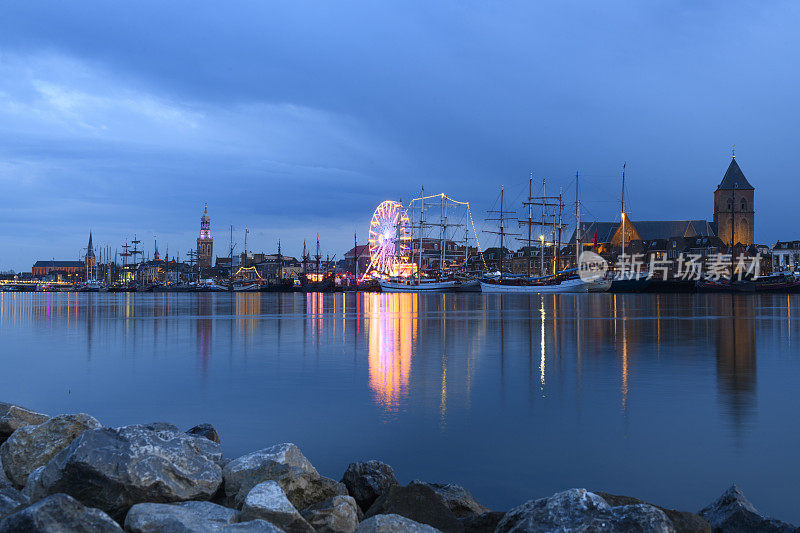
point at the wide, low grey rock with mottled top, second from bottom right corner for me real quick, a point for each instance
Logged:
(580, 510)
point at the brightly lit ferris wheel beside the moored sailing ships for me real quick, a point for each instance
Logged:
(390, 240)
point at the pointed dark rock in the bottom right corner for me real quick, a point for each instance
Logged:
(733, 512)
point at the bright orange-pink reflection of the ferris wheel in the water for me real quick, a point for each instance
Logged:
(391, 320)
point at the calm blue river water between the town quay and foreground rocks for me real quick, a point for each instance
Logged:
(666, 397)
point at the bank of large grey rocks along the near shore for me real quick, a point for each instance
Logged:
(70, 473)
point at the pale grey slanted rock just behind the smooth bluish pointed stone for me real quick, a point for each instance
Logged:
(244, 473)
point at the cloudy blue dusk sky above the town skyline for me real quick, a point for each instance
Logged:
(297, 118)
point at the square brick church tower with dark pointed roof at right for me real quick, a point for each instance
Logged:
(734, 210)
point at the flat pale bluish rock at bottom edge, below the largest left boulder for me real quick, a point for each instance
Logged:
(178, 517)
